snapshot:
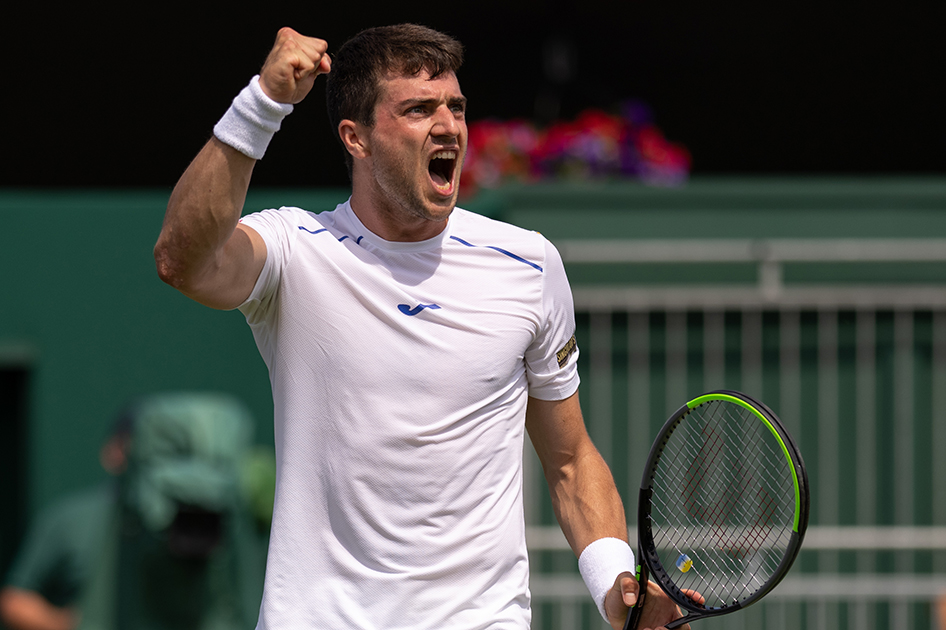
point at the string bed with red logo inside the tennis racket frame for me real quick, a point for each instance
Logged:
(723, 497)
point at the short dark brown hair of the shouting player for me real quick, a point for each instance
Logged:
(354, 84)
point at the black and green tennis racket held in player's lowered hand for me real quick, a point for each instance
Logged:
(723, 507)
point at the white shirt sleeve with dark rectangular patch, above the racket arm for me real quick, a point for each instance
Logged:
(552, 358)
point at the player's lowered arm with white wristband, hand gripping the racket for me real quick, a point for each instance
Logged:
(589, 509)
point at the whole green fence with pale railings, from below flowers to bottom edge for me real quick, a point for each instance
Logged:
(831, 308)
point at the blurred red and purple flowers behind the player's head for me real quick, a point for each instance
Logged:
(596, 145)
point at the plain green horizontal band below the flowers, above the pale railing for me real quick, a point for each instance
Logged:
(730, 208)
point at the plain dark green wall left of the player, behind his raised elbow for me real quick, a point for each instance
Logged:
(83, 309)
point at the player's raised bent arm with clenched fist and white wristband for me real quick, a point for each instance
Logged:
(202, 250)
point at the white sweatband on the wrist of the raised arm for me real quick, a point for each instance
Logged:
(252, 121)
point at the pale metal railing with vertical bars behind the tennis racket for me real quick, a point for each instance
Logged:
(857, 372)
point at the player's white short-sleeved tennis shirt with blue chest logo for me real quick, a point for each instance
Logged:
(400, 376)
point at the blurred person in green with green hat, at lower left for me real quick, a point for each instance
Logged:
(172, 542)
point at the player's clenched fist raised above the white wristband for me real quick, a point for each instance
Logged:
(292, 66)
